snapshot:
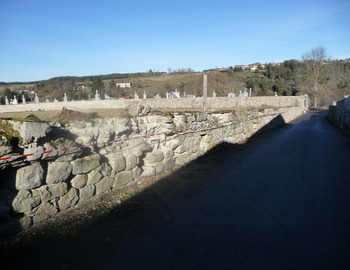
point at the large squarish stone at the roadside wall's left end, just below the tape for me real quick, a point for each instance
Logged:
(30, 176)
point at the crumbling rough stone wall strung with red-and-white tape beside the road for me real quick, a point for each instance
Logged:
(38, 187)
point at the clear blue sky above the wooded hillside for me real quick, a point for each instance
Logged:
(49, 38)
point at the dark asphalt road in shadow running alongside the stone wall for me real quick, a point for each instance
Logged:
(281, 201)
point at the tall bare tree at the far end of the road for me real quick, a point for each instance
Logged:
(315, 71)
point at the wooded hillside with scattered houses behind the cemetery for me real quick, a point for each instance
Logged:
(288, 78)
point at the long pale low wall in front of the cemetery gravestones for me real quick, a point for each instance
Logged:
(217, 103)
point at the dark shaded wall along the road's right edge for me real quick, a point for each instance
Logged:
(340, 114)
